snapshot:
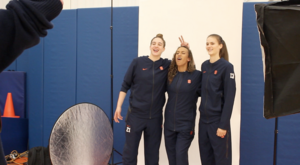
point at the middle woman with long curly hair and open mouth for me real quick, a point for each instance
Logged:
(184, 84)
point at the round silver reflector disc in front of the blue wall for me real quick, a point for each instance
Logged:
(82, 135)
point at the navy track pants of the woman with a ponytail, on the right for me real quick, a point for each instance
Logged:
(213, 149)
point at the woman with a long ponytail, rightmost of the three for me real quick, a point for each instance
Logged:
(217, 98)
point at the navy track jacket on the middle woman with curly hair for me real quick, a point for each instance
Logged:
(181, 107)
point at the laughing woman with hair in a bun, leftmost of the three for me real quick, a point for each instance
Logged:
(146, 77)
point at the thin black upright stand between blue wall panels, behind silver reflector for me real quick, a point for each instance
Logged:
(111, 85)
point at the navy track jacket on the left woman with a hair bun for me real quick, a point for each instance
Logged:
(147, 81)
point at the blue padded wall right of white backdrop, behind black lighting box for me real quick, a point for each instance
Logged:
(257, 133)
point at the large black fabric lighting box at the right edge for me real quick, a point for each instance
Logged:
(279, 27)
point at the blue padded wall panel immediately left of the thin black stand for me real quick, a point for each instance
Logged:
(93, 57)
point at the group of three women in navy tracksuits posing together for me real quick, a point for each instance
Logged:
(148, 78)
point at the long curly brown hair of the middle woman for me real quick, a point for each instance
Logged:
(173, 69)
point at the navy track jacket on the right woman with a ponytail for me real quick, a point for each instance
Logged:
(218, 92)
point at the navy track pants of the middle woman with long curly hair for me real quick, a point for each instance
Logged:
(177, 146)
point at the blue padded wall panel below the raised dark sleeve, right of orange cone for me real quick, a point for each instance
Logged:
(31, 61)
